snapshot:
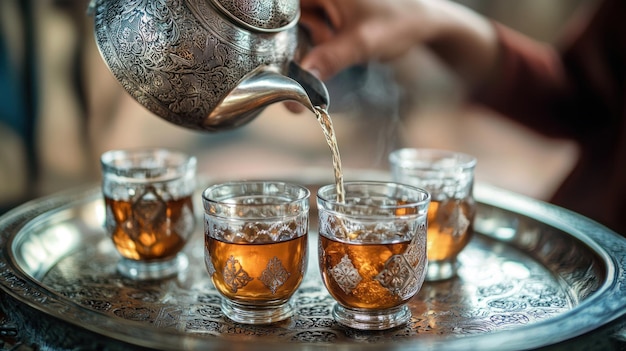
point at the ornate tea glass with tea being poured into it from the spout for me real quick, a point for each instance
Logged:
(372, 251)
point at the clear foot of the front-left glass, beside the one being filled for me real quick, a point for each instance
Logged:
(247, 314)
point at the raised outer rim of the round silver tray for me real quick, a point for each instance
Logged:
(603, 306)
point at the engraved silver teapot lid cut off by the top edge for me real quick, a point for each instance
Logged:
(261, 15)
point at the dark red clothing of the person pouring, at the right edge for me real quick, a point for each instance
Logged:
(578, 93)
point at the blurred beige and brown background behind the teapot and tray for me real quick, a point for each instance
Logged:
(60, 108)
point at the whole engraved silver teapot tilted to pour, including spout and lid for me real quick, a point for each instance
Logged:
(206, 64)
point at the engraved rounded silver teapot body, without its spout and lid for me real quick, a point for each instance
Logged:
(180, 58)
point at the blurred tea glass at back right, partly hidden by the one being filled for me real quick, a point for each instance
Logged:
(449, 177)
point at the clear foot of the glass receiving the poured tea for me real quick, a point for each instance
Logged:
(372, 319)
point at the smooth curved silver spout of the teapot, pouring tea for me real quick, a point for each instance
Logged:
(262, 87)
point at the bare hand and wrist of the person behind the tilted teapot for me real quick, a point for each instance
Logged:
(353, 32)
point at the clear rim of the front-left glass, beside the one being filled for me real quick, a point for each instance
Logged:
(304, 195)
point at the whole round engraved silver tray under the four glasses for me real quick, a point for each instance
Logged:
(534, 275)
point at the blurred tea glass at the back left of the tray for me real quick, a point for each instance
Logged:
(149, 209)
